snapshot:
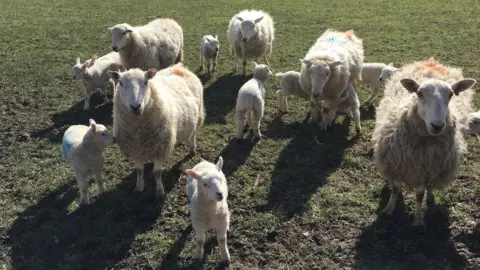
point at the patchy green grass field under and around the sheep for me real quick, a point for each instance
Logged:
(300, 199)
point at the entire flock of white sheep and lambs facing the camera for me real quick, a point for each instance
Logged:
(421, 122)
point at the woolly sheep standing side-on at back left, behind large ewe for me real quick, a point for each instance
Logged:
(158, 44)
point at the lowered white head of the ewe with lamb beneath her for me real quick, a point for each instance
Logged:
(320, 72)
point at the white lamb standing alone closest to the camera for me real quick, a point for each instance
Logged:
(207, 193)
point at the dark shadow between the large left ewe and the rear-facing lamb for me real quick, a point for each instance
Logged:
(220, 97)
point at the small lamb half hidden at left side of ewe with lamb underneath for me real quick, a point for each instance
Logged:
(289, 85)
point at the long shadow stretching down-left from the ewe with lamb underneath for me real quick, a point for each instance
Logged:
(304, 165)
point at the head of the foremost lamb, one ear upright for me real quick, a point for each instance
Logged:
(211, 182)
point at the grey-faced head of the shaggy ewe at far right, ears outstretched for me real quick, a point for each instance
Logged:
(433, 98)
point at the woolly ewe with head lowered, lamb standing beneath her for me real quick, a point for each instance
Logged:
(331, 64)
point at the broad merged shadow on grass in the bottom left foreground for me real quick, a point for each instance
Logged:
(48, 235)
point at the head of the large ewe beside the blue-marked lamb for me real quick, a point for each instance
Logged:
(133, 88)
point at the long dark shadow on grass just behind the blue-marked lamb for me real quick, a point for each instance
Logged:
(75, 115)
